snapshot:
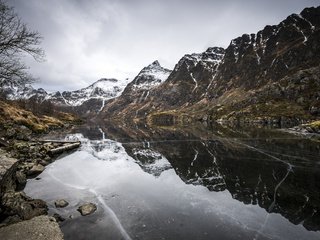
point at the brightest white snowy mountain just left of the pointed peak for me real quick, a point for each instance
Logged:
(102, 89)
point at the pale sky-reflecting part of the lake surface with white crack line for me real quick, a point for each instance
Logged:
(147, 207)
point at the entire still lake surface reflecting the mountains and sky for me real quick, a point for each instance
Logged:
(186, 184)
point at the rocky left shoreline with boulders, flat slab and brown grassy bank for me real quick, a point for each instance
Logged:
(22, 158)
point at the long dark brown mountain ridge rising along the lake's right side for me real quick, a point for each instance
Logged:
(271, 76)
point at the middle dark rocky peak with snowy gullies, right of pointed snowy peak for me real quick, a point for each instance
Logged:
(191, 78)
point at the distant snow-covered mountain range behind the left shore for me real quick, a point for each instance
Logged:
(85, 101)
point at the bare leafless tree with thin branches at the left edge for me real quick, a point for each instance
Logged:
(15, 41)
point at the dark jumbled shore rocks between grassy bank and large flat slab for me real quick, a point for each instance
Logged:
(21, 160)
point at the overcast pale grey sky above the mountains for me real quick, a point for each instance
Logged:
(85, 40)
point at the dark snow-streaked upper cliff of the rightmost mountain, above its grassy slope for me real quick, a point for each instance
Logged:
(256, 60)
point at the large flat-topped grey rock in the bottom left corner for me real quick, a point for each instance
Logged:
(38, 228)
